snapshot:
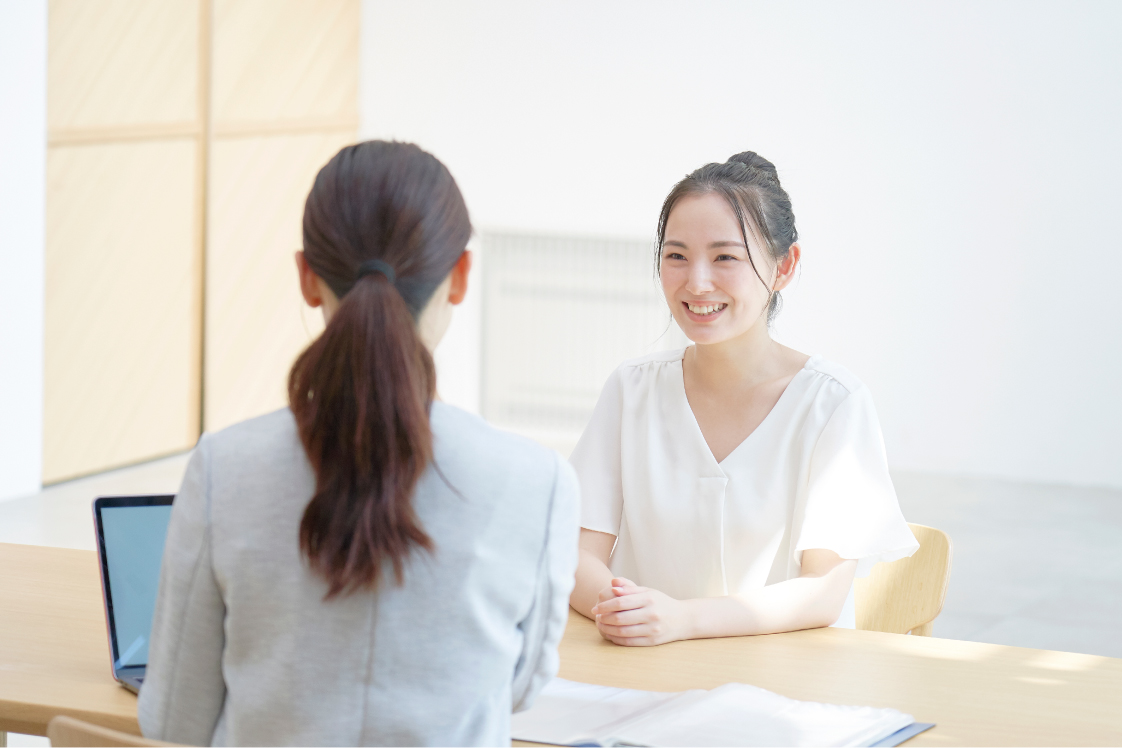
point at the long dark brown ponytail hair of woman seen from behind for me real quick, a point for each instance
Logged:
(384, 226)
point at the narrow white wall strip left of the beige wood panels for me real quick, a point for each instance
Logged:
(23, 192)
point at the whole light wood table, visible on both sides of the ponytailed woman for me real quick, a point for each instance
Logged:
(54, 660)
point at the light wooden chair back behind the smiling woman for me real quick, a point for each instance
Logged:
(907, 595)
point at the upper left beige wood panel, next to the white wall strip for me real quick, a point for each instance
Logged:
(122, 63)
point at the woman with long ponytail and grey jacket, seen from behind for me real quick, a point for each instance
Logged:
(369, 566)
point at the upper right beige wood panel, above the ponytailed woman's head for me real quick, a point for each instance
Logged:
(286, 61)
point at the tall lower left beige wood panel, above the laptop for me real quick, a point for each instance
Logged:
(122, 327)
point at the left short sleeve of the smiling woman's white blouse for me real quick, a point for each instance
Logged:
(599, 463)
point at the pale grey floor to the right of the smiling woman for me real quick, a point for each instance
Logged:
(1034, 566)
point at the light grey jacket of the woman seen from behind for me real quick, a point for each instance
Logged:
(247, 650)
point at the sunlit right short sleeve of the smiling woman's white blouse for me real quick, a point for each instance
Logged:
(851, 506)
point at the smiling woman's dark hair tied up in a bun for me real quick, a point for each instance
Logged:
(750, 184)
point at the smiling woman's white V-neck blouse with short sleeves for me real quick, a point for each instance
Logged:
(814, 475)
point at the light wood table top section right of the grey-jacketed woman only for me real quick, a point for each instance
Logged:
(978, 695)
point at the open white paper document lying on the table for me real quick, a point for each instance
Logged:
(733, 715)
